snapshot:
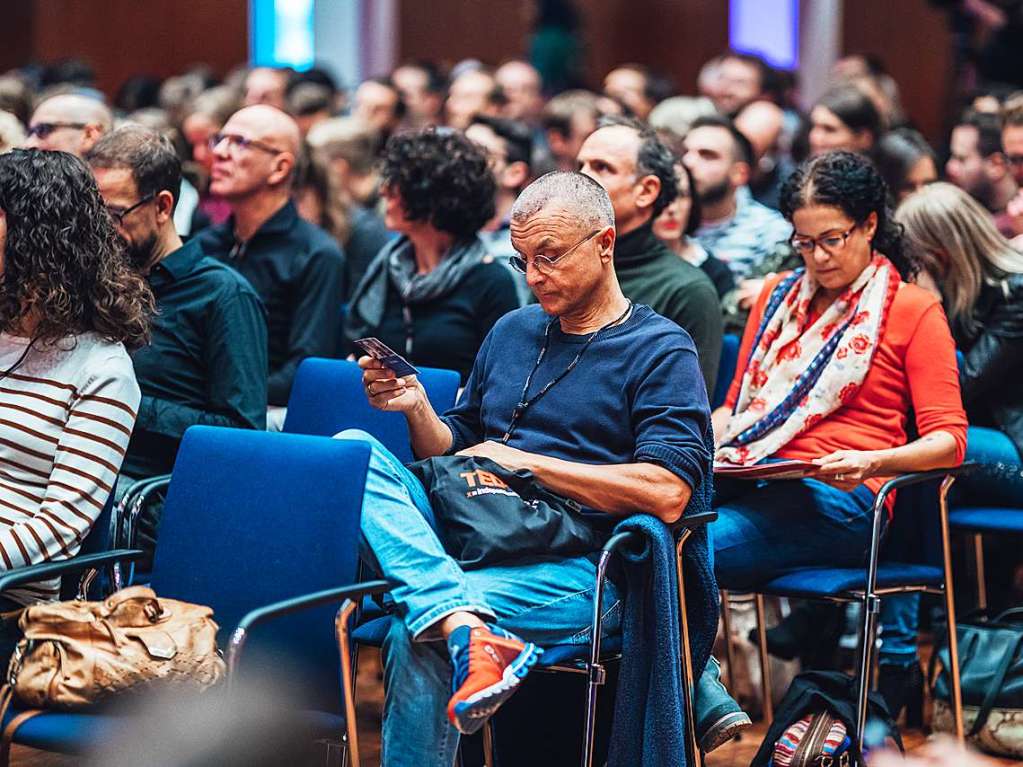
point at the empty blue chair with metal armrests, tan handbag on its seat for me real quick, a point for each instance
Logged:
(257, 526)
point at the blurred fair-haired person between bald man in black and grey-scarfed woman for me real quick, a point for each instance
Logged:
(348, 148)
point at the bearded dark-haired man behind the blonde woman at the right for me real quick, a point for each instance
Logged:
(978, 166)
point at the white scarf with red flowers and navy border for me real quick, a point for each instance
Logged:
(797, 375)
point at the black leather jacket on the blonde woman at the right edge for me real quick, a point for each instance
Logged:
(993, 377)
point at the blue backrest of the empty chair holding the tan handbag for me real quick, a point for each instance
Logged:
(254, 518)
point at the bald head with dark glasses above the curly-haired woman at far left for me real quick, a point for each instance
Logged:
(69, 123)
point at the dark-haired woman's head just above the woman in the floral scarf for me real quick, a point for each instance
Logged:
(844, 119)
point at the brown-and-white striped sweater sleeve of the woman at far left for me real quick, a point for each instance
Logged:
(87, 461)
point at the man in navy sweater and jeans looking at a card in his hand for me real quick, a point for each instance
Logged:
(602, 400)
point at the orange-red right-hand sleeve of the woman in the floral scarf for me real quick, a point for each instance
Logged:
(933, 377)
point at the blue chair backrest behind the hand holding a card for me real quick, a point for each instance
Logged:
(328, 397)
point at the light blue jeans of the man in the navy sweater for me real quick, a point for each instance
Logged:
(548, 601)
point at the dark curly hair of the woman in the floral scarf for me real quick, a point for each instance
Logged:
(853, 184)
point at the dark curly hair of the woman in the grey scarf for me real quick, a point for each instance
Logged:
(442, 178)
